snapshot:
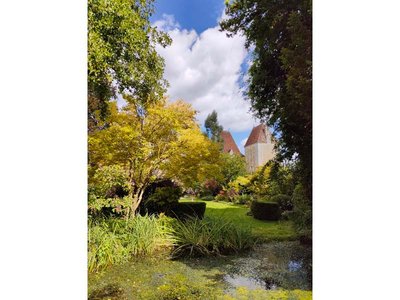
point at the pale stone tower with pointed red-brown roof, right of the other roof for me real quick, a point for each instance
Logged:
(259, 148)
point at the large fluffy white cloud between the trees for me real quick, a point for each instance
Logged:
(204, 70)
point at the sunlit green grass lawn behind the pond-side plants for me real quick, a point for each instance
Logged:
(265, 230)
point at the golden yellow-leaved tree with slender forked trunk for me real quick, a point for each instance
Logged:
(164, 142)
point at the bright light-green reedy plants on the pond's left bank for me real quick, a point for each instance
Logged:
(114, 241)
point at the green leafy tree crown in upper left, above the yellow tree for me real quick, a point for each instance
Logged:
(121, 55)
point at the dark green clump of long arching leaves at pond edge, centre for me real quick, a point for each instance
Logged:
(210, 236)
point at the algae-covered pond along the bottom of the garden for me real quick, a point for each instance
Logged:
(272, 266)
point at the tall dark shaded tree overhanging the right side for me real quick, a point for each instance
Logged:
(280, 77)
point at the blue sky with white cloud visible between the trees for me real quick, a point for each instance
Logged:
(203, 66)
